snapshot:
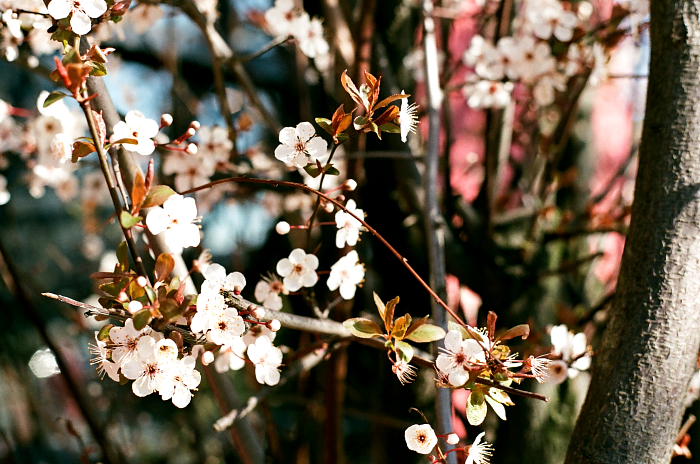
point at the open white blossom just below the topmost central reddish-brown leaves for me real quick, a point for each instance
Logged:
(300, 146)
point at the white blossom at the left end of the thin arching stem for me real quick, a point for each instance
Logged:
(176, 220)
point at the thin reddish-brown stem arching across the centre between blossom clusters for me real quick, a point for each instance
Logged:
(296, 185)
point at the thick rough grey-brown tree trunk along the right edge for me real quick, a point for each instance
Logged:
(635, 403)
